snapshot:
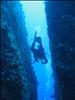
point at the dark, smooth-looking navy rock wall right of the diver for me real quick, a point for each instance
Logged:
(60, 17)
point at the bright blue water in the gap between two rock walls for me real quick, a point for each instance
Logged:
(35, 20)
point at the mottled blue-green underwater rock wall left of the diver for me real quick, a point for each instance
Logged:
(18, 81)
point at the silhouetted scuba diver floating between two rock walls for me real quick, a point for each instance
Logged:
(38, 50)
